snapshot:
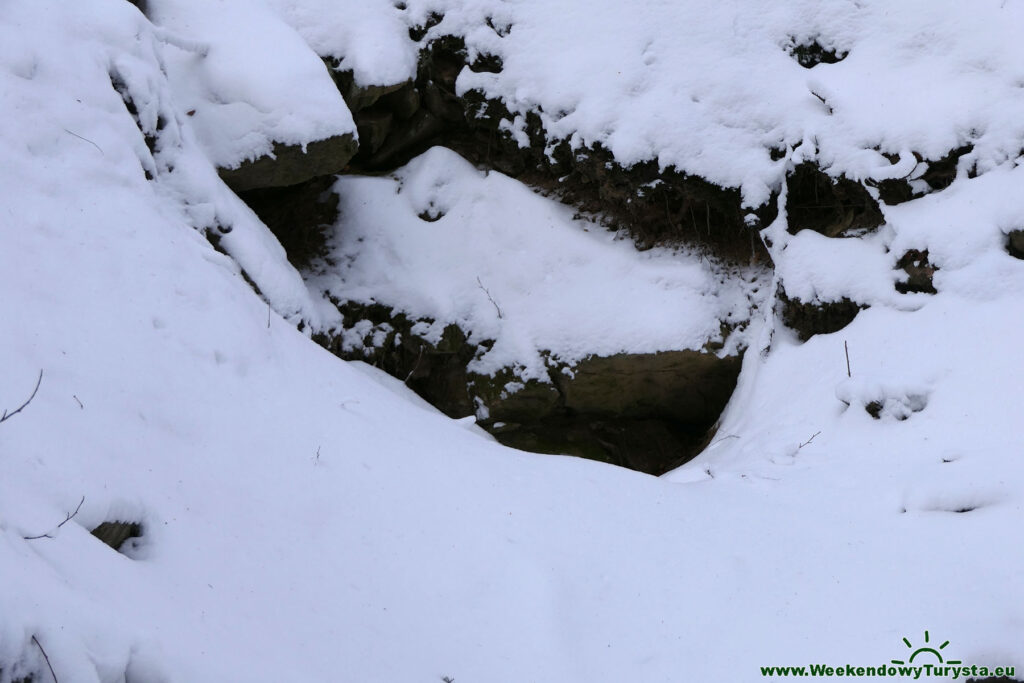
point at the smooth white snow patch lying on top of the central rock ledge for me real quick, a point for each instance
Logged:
(441, 240)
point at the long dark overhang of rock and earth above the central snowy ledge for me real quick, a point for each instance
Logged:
(659, 206)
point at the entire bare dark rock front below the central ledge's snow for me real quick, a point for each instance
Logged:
(649, 412)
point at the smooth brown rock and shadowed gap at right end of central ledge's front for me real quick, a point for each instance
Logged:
(649, 412)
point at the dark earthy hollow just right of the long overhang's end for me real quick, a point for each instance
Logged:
(834, 207)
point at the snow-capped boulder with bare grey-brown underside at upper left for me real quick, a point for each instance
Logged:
(262, 102)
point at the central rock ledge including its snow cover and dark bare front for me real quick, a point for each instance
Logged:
(559, 335)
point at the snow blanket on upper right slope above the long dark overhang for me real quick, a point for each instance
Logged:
(708, 87)
